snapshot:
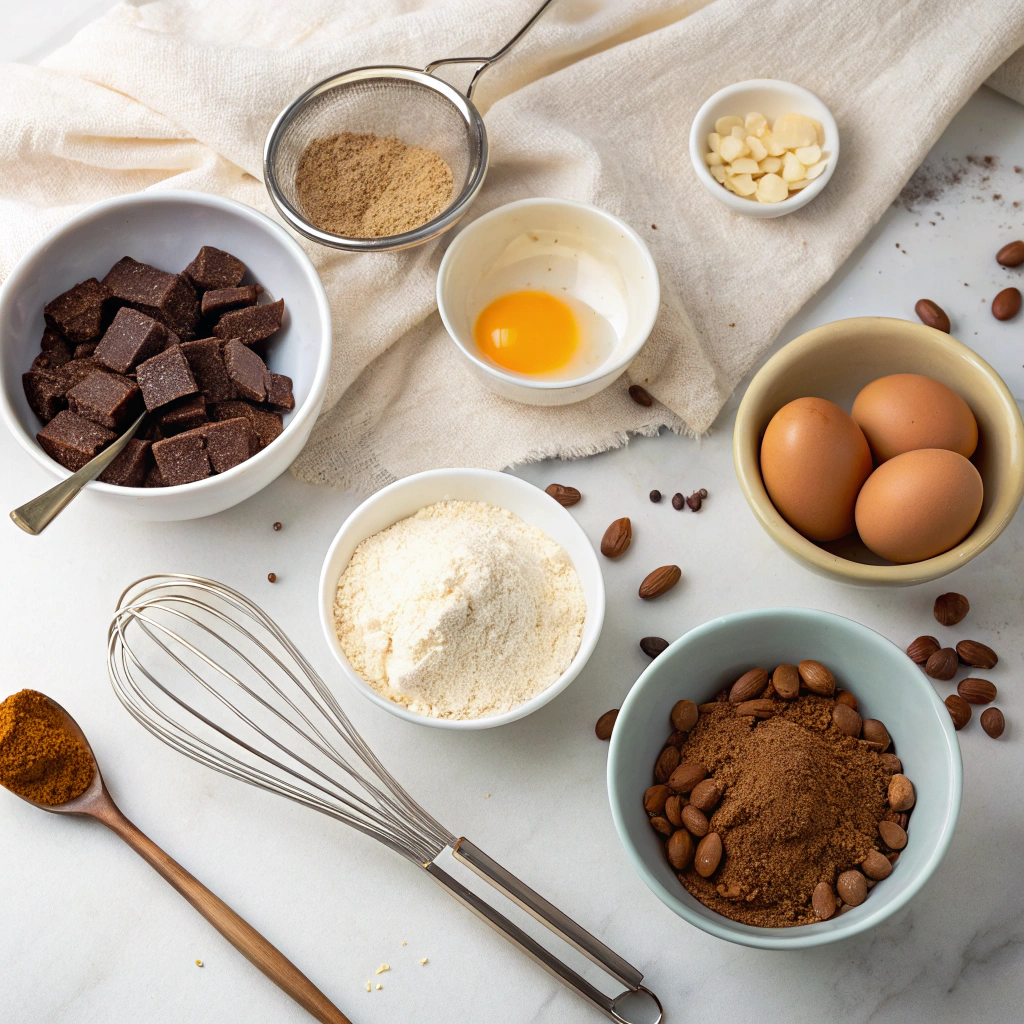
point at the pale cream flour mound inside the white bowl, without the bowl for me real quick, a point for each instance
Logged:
(462, 611)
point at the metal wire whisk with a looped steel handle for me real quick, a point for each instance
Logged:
(209, 673)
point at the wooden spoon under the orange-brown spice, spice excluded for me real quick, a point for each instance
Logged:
(97, 803)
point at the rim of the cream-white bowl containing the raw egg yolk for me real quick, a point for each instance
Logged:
(607, 369)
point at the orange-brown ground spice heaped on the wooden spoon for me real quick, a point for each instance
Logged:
(40, 759)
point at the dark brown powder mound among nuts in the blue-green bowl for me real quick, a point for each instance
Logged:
(802, 803)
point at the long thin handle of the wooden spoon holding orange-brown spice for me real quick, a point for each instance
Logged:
(242, 935)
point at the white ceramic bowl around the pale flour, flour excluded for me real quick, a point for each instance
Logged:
(405, 498)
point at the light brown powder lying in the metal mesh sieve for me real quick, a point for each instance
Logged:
(362, 186)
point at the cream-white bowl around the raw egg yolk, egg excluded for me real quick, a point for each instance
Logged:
(556, 246)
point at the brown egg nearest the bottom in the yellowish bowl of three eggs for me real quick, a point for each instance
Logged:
(919, 504)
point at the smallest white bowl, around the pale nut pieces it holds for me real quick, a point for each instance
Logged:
(773, 99)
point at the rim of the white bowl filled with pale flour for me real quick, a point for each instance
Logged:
(327, 588)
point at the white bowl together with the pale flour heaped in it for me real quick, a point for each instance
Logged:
(462, 599)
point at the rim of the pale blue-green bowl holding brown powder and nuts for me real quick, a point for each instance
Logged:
(802, 937)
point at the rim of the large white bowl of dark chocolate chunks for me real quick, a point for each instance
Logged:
(310, 409)
